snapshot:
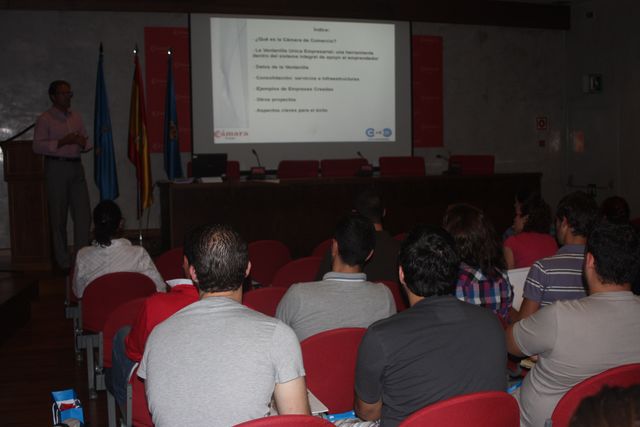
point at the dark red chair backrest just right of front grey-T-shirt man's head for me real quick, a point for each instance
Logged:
(266, 257)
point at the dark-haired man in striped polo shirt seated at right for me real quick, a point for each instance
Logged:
(559, 277)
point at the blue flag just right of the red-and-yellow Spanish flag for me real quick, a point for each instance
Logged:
(171, 145)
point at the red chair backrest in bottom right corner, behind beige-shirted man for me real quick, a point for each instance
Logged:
(621, 376)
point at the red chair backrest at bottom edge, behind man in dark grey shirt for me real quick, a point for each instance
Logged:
(484, 409)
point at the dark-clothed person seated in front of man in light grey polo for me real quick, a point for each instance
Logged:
(382, 265)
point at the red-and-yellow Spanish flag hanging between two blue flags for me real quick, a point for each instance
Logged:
(138, 141)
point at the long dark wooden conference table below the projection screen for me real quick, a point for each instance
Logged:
(303, 212)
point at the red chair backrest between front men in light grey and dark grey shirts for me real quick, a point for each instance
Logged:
(330, 363)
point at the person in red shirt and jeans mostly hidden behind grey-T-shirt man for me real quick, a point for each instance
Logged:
(129, 342)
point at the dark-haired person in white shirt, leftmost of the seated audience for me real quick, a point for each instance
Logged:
(110, 255)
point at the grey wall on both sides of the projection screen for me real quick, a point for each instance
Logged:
(496, 82)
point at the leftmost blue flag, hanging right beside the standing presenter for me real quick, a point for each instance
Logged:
(104, 159)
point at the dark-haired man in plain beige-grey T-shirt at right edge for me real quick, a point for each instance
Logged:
(577, 339)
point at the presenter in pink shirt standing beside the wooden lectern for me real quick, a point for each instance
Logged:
(60, 137)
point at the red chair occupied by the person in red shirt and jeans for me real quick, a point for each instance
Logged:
(122, 316)
